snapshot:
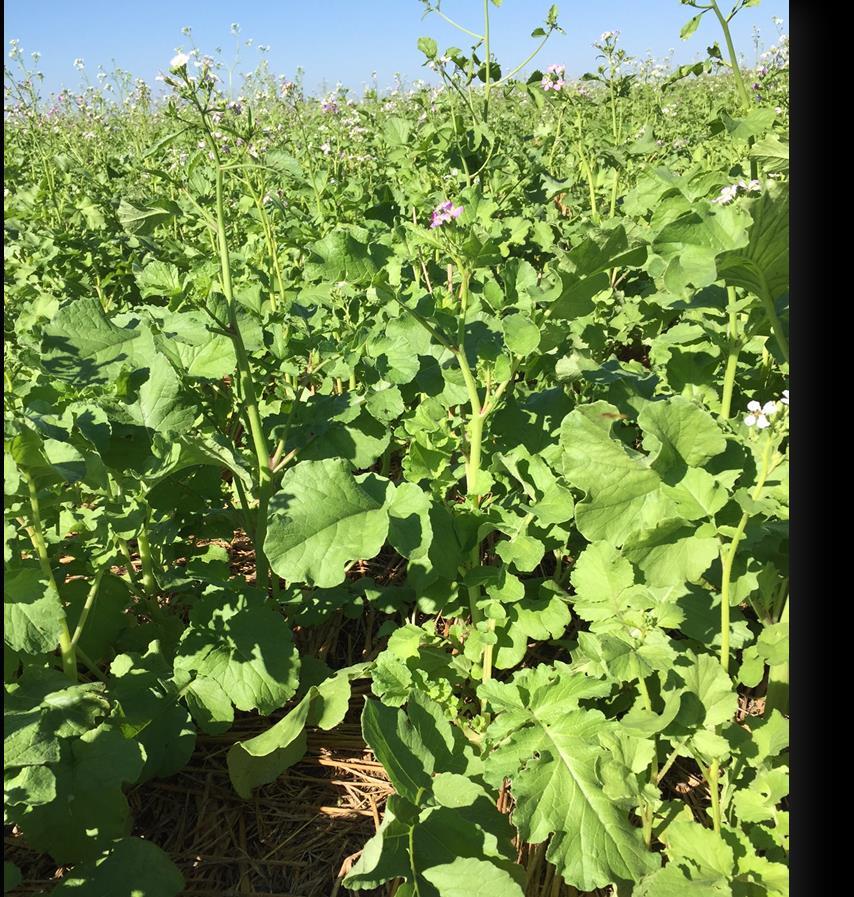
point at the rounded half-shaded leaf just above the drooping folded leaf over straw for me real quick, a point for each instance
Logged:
(243, 645)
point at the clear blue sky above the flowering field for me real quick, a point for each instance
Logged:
(345, 40)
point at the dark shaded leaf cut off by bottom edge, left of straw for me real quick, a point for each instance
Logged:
(132, 867)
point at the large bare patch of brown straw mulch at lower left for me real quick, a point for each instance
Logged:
(296, 837)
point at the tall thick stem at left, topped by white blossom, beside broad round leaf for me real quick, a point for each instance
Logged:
(247, 389)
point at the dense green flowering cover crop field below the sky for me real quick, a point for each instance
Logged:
(442, 430)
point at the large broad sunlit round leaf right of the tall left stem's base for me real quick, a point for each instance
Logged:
(320, 520)
